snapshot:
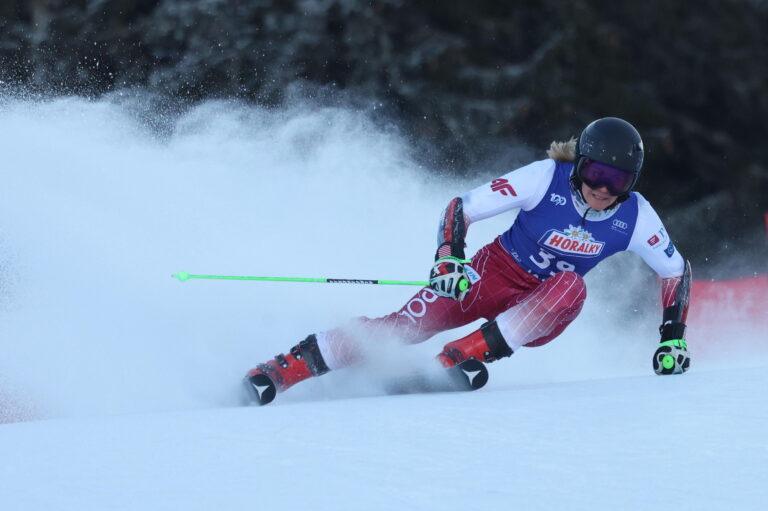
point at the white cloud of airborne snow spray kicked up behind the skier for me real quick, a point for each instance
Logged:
(100, 206)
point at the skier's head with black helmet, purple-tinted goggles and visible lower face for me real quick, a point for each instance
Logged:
(609, 158)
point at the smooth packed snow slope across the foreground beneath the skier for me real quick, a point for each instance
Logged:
(696, 442)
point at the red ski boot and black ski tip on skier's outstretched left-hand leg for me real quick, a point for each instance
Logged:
(304, 360)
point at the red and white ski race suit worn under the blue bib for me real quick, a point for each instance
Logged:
(529, 311)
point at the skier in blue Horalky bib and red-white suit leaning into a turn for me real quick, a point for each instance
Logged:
(576, 208)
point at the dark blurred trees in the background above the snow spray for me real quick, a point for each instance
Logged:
(474, 85)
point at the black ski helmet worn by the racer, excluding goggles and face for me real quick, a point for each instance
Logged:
(612, 141)
